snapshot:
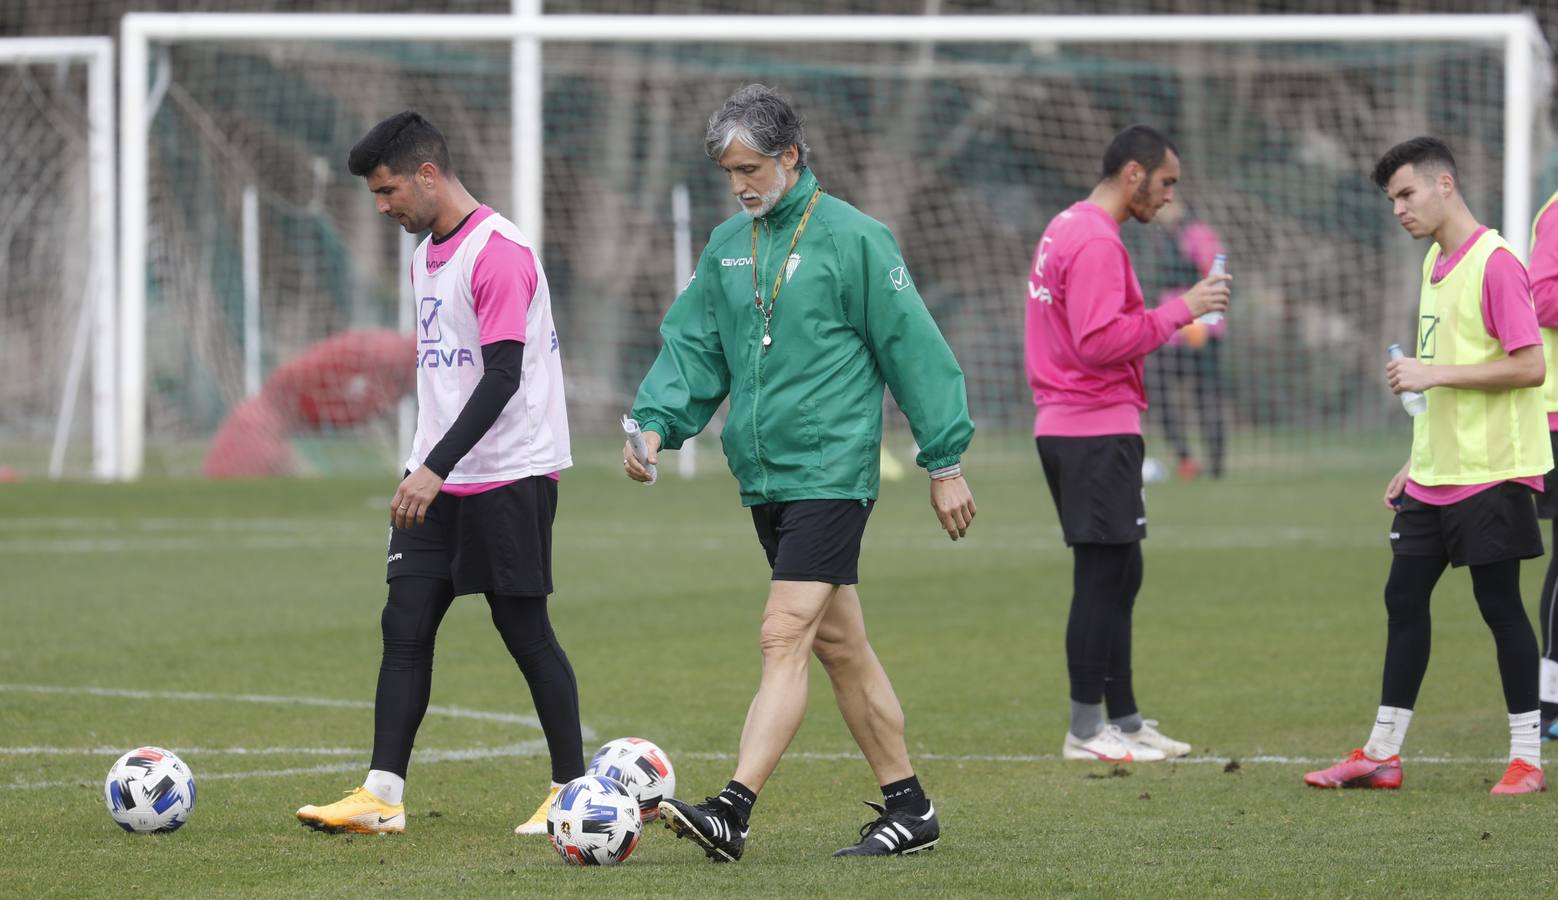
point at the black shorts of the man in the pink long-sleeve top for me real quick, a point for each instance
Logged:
(1098, 487)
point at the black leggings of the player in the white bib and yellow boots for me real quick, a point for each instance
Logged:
(406, 677)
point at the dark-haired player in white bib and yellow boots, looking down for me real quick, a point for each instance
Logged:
(474, 512)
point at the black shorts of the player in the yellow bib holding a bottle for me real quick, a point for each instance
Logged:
(1493, 526)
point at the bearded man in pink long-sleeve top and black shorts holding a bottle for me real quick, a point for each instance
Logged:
(1088, 332)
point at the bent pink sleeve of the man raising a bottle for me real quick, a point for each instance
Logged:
(1109, 336)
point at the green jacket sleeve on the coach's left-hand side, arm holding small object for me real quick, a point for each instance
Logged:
(689, 378)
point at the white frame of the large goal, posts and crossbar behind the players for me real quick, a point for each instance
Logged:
(1526, 57)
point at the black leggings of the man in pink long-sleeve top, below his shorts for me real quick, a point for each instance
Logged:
(1105, 580)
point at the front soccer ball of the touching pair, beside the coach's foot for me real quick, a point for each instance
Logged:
(594, 821)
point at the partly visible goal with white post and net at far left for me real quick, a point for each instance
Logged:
(58, 105)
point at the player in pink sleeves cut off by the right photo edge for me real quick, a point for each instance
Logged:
(1545, 294)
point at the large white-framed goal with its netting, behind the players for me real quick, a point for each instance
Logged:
(964, 147)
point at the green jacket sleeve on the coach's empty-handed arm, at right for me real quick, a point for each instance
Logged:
(912, 354)
